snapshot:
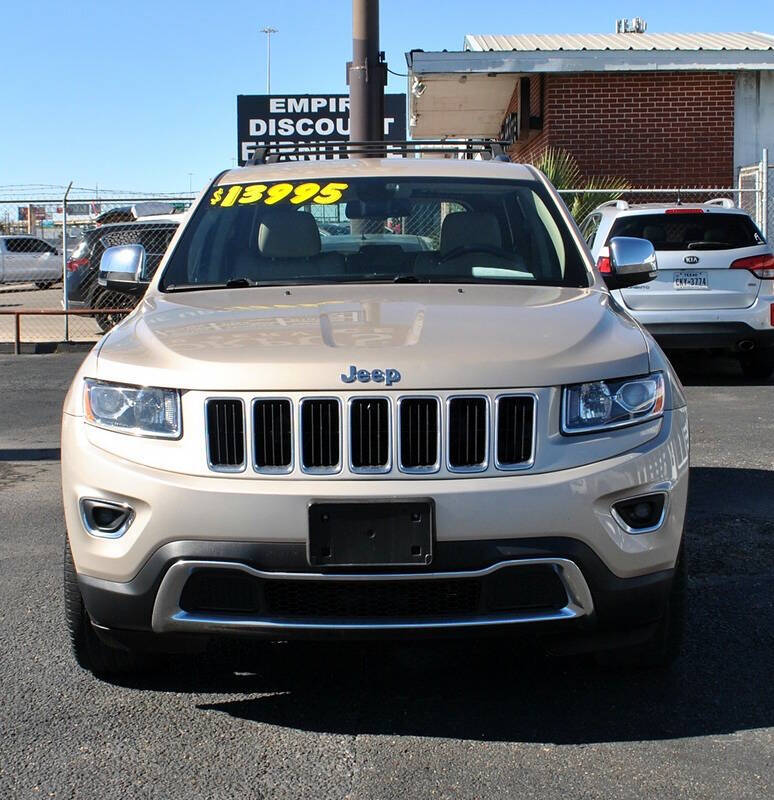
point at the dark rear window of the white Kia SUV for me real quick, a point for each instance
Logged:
(686, 229)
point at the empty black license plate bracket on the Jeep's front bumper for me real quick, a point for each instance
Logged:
(371, 534)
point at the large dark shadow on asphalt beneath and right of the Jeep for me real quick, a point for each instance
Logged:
(499, 690)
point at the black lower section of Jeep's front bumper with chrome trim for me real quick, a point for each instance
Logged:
(596, 598)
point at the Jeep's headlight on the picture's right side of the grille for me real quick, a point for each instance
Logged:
(612, 404)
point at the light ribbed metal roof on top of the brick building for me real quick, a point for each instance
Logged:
(620, 41)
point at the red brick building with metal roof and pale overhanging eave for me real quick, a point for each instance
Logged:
(658, 109)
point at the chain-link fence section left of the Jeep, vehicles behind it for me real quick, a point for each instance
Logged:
(50, 249)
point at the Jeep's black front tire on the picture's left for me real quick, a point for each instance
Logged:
(90, 651)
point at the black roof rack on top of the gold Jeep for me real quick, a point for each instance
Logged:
(272, 153)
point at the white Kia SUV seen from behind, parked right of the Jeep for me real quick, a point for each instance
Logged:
(715, 282)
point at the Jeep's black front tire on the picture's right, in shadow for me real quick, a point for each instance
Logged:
(663, 646)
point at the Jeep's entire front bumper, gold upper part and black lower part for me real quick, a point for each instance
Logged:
(484, 526)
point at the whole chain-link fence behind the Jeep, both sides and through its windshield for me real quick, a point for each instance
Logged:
(50, 248)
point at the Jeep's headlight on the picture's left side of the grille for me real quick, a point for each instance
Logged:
(139, 410)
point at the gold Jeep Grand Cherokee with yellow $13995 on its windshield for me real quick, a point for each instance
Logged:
(375, 396)
